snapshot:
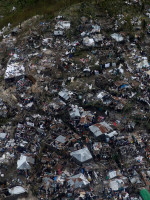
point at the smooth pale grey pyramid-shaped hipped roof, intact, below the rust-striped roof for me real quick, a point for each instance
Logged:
(82, 155)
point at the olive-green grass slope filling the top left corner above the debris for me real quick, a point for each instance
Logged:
(47, 8)
